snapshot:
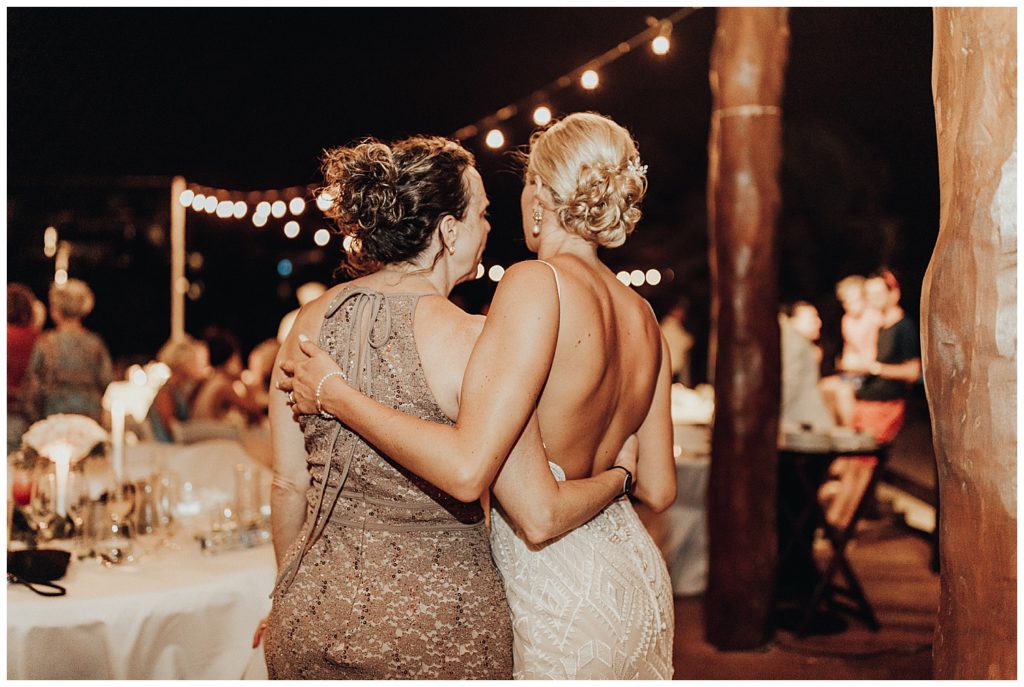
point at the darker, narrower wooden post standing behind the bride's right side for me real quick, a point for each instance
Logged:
(745, 152)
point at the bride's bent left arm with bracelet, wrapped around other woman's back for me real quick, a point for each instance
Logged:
(504, 379)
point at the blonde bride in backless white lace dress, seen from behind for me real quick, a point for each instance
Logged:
(567, 339)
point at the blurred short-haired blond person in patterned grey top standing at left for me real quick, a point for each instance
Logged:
(70, 367)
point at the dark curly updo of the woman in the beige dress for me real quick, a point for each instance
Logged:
(392, 198)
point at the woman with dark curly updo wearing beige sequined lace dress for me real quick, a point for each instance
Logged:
(383, 575)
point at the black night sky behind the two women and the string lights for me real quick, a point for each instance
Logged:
(105, 106)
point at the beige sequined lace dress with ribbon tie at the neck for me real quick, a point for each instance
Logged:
(393, 579)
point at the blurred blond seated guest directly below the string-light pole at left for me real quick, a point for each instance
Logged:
(173, 406)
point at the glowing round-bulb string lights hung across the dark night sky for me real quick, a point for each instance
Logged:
(264, 205)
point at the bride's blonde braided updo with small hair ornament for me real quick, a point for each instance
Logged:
(592, 168)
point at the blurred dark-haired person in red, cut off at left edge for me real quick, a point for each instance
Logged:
(22, 335)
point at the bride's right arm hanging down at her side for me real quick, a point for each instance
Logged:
(656, 475)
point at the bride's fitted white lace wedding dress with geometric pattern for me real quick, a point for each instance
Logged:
(595, 604)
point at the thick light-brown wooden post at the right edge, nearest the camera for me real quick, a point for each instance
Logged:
(969, 328)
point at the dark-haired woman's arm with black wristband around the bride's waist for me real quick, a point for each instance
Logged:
(543, 508)
